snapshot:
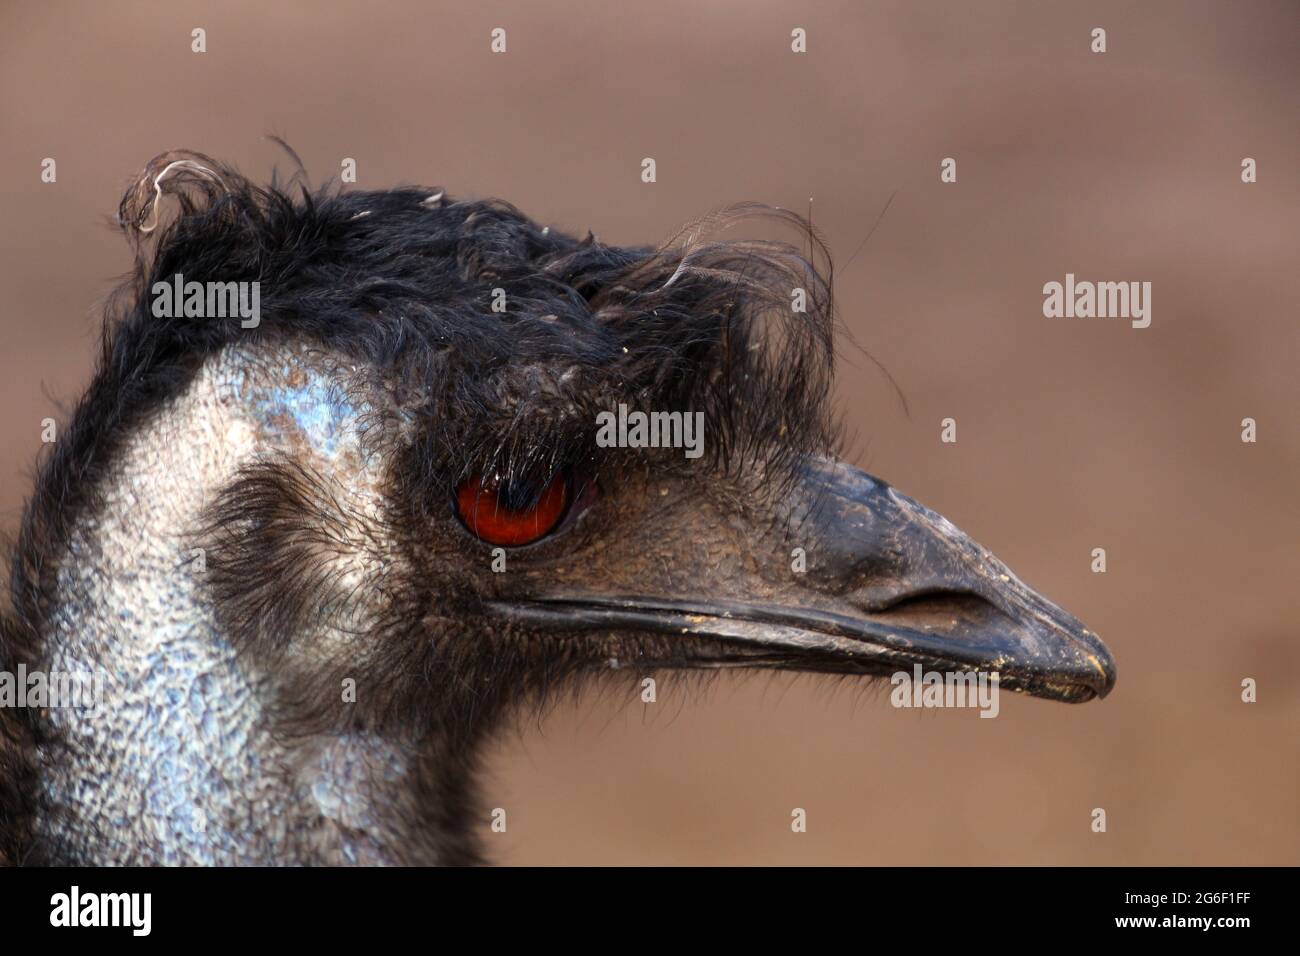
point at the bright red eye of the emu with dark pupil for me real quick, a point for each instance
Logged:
(512, 514)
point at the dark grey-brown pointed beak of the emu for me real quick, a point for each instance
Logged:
(889, 585)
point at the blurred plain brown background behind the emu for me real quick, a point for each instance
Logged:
(1072, 434)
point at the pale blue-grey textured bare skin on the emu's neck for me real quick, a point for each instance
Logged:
(181, 763)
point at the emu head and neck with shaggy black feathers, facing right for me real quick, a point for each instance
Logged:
(318, 563)
